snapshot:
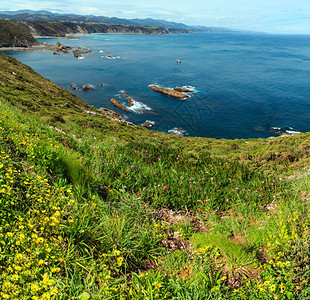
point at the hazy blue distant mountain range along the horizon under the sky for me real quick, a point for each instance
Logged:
(43, 15)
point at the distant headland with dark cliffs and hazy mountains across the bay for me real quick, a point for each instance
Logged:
(20, 28)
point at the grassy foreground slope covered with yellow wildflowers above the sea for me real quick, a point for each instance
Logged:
(96, 209)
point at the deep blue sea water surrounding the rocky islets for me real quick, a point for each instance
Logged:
(246, 85)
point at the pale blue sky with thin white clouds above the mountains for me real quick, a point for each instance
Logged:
(271, 16)
